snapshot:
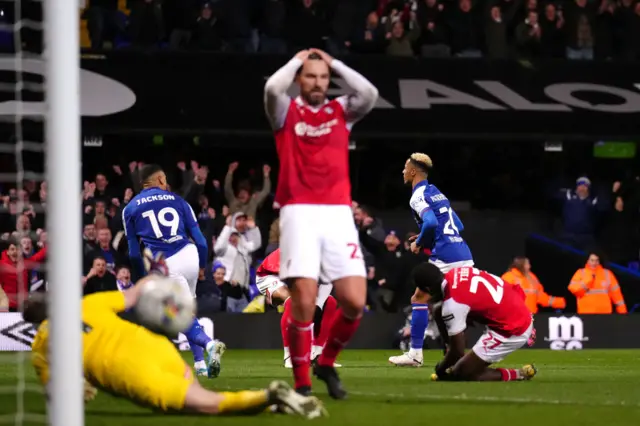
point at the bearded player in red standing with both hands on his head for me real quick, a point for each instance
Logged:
(317, 232)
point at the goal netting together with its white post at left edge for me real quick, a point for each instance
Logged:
(40, 178)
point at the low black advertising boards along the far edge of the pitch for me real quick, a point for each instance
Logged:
(378, 331)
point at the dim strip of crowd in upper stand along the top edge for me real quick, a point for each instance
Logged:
(575, 29)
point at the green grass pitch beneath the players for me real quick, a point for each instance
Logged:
(579, 388)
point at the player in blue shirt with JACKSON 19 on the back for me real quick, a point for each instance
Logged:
(166, 224)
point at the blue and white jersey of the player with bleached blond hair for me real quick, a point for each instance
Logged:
(448, 245)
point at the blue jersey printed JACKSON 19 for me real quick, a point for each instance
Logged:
(160, 219)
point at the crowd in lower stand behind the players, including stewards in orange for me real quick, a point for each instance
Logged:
(241, 227)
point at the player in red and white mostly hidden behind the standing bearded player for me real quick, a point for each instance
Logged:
(277, 293)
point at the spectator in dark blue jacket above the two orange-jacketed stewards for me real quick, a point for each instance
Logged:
(579, 215)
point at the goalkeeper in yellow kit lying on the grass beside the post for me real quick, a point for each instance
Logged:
(129, 361)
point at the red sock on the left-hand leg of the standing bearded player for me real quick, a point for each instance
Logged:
(300, 341)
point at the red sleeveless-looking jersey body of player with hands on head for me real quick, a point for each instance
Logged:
(313, 149)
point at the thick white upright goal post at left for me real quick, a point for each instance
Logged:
(64, 221)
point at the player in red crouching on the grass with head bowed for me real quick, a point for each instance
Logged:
(467, 293)
